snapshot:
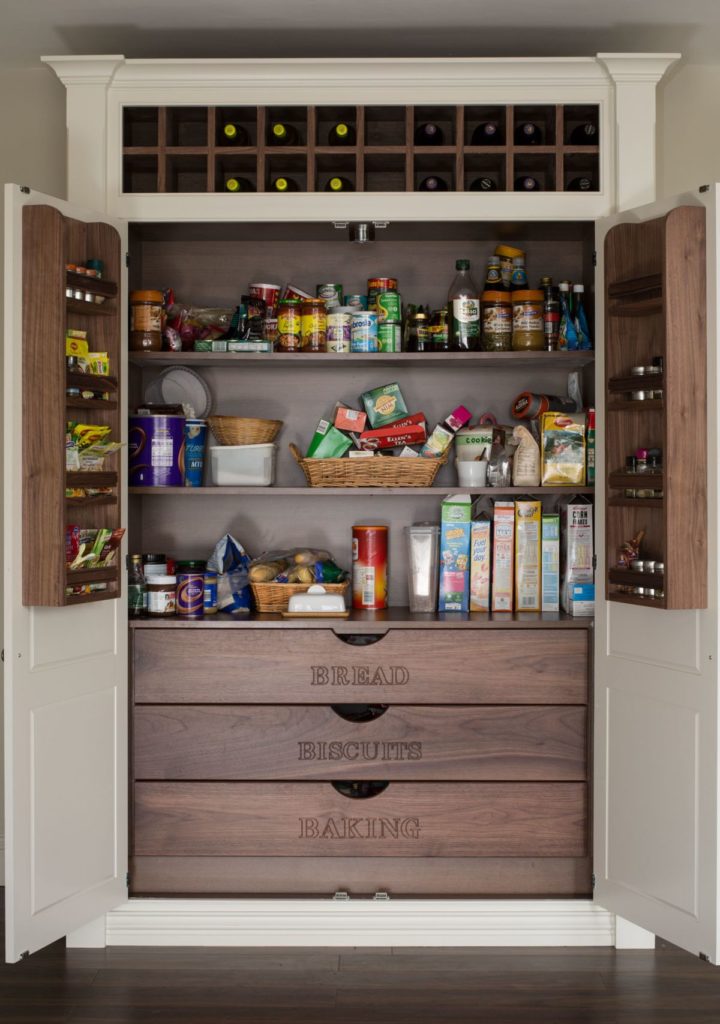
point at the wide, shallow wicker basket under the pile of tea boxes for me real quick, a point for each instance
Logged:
(376, 473)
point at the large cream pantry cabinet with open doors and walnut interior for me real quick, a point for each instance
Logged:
(494, 756)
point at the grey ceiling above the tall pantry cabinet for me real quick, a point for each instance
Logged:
(357, 28)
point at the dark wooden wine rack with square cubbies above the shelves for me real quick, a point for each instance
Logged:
(386, 149)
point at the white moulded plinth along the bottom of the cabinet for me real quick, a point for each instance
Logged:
(360, 923)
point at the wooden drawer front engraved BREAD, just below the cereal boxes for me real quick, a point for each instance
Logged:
(491, 666)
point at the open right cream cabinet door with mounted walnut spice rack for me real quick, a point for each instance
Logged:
(656, 734)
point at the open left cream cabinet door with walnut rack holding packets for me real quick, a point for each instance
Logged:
(66, 660)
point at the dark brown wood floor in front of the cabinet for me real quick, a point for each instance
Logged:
(359, 987)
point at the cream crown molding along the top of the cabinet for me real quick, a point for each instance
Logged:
(118, 71)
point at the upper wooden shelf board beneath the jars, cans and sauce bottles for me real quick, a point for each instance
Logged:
(538, 361)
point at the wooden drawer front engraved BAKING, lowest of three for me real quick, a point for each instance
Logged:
(408, 820)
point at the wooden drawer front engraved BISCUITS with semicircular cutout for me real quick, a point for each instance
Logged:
(314, 743)
